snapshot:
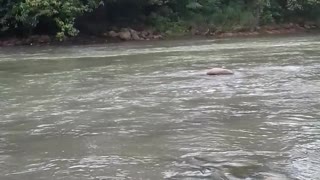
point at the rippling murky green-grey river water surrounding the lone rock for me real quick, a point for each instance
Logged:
(148, 111)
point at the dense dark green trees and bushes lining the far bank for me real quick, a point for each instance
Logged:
(25, 17)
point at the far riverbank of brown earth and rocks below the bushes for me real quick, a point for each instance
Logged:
(128, 34)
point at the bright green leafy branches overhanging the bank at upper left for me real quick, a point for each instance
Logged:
(27, 13)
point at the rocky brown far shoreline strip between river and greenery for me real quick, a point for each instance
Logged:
(39, 40)
